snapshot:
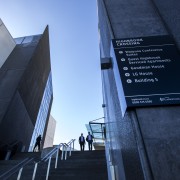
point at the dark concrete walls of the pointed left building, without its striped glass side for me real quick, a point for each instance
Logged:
(23, 78)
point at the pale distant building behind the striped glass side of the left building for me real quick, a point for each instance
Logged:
(49, 136)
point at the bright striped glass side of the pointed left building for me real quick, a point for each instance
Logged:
(43, 113)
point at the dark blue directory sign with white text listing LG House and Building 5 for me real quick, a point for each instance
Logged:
(149, 70)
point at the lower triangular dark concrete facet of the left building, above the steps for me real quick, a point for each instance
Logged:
(16, 124)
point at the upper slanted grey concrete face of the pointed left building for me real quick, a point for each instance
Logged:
(10, 75)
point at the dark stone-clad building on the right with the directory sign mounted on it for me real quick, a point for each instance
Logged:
(142, 114)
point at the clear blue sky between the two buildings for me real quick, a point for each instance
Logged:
(73, 31)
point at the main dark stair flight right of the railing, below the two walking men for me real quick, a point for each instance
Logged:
(86, 165)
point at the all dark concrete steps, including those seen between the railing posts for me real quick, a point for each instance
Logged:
(86, 165)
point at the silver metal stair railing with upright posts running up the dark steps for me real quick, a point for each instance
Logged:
(19, 167)
